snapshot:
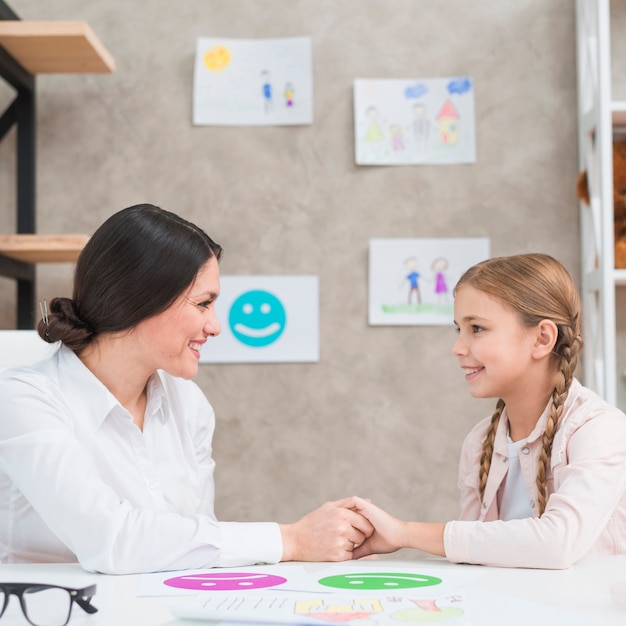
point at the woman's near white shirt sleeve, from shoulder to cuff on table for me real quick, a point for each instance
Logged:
(41, 455)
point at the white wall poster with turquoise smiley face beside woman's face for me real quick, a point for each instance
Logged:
(266, 319)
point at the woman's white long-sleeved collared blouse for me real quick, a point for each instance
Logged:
(79, 481)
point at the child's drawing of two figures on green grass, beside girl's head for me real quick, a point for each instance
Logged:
(411, 280)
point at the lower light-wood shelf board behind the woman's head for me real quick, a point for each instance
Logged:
(43, 248)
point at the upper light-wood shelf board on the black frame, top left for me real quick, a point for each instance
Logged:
(55, 47)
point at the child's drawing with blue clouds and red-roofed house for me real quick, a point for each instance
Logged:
(414, 121)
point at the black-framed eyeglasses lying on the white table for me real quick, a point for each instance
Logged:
(47, 605)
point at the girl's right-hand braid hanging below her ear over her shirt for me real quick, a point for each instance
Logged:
(568, 347)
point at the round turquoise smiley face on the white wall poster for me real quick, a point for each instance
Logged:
(257, 318)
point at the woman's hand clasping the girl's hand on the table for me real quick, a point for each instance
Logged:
(330, 533)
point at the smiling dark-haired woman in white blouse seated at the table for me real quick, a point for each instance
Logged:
(105, 447)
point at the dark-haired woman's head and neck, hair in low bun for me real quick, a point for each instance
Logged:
(140, 312)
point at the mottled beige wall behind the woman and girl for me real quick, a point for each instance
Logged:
(384, 412)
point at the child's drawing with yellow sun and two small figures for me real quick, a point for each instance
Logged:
(239, 82)
